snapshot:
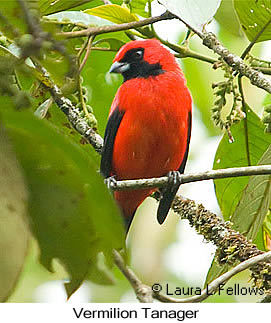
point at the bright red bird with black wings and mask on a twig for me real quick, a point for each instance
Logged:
(149, 125)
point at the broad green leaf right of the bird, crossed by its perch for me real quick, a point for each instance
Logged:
(249, 145)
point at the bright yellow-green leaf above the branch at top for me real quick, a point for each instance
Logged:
(112, 12)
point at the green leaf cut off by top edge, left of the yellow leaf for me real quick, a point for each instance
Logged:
(51, 6)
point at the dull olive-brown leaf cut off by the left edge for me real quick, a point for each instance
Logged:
(14, 232)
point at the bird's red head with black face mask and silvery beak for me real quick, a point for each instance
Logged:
(143, 59)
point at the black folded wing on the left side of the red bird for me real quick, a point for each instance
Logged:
(109, 139)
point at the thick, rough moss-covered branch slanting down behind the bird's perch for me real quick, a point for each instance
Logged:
(232, 246)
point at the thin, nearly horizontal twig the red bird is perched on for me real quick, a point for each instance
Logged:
(189, 178)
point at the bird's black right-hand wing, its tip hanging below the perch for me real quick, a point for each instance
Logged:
(169, 194)
